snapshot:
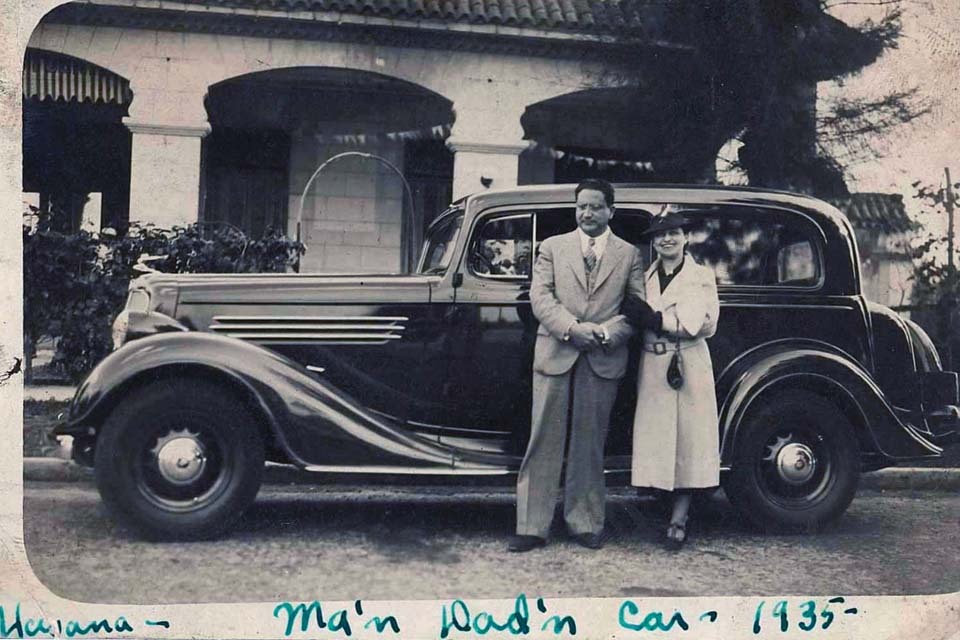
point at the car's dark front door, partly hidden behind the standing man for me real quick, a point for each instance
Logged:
(493, 331)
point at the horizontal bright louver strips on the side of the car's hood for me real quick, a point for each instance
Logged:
(370, 330)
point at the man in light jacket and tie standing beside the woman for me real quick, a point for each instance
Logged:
(579, 282)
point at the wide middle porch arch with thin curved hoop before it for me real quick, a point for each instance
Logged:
(272, 129)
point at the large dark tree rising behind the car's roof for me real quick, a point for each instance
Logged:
(753, 74)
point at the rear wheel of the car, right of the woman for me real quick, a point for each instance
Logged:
(796, 464)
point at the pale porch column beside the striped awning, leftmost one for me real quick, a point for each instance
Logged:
(168, 122)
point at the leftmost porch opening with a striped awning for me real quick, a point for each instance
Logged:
(76, 150)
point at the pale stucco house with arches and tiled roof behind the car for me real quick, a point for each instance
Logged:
(174, 111)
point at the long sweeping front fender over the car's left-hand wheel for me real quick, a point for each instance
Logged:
(311, 421)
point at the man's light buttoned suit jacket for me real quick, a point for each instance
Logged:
(559, 295)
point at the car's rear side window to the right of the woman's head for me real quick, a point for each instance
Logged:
(749, 247)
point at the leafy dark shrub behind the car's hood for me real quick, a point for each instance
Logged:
(75, 284)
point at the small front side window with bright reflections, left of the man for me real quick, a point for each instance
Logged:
(502, 247)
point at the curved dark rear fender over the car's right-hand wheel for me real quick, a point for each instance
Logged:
(821, 368)
